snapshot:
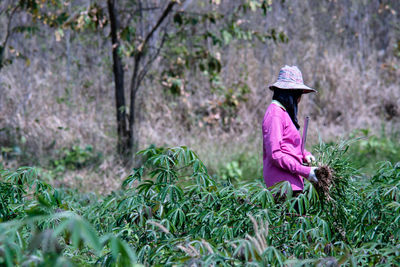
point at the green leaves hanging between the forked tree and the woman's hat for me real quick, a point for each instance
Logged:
(184, 50)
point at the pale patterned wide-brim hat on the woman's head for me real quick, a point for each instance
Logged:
(290, 78)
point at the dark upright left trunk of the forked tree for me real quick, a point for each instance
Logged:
(123, 134)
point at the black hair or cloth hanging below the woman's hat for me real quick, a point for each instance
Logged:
(288, 98)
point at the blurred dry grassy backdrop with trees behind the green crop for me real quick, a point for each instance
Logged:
(189, 72)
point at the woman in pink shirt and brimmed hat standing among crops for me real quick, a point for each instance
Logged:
(282, 156)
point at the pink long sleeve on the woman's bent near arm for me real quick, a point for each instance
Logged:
(273, 136)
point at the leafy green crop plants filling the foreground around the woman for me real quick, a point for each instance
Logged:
(171, 211)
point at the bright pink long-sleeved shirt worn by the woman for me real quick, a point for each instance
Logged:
(282, 157)
